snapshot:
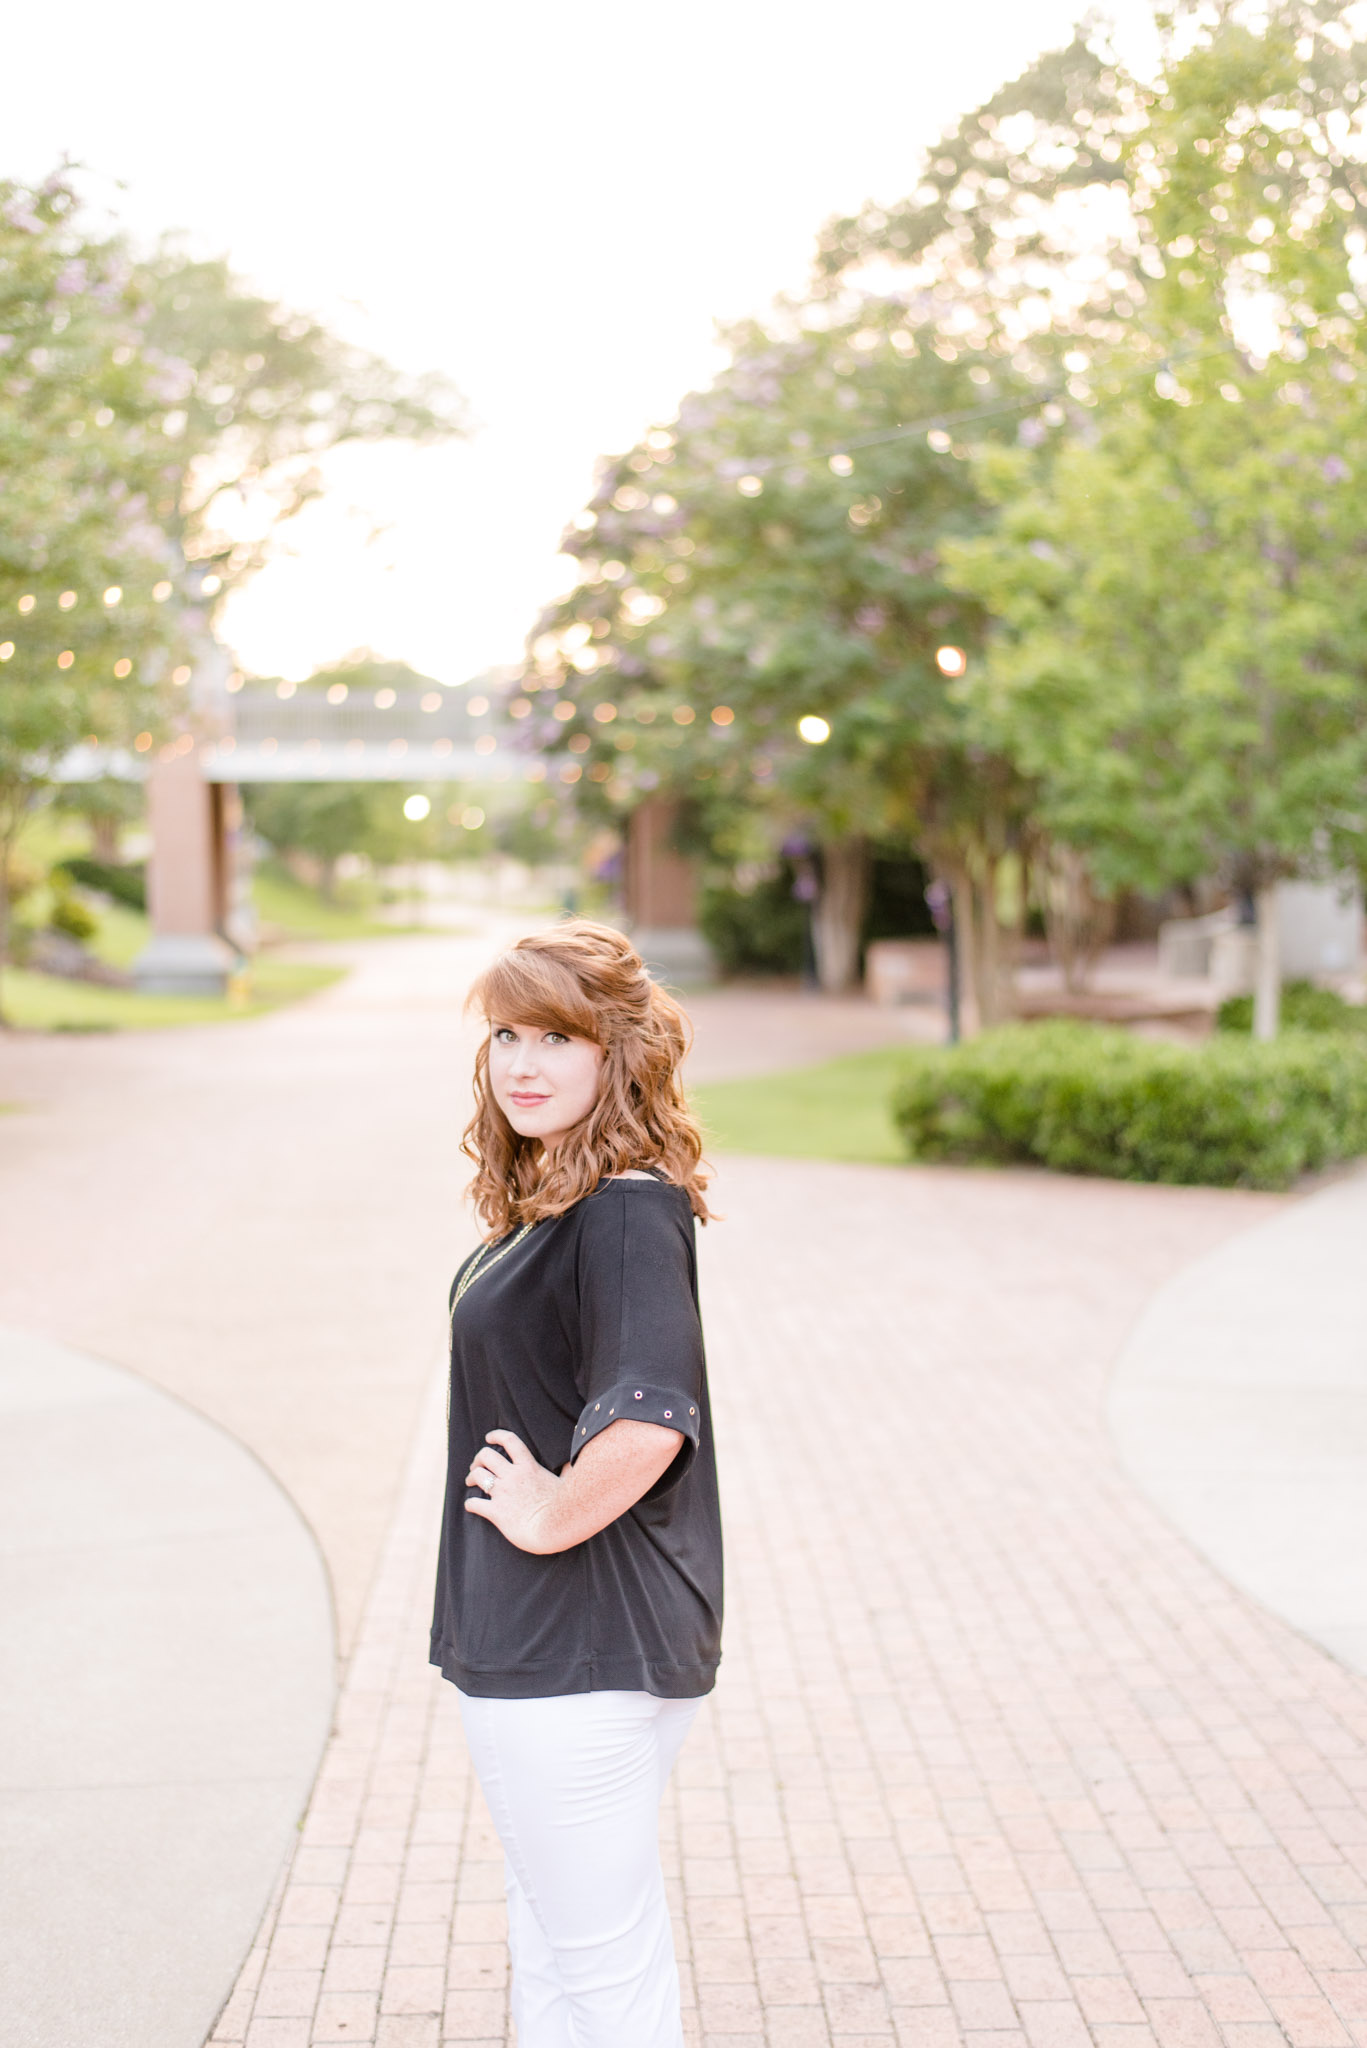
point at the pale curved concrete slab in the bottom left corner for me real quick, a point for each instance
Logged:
(169, 1678)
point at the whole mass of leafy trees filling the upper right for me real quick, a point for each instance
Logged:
(1042, 503)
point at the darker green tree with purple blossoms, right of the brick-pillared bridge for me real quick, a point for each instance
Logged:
(770, 562)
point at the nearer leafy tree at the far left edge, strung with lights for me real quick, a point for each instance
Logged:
(85, 634)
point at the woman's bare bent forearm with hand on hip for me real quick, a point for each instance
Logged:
(544, 1512)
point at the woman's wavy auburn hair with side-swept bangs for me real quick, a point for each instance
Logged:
(589, 982)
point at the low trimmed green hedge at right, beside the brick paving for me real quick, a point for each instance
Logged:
(1085, 1099)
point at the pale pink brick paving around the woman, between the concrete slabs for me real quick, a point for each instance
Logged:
(995, 1758)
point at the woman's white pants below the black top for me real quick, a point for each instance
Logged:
(575, 1787)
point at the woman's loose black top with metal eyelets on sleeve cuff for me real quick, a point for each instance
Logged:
(583, 1320)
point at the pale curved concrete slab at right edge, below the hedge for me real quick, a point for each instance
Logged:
(1241, 1408)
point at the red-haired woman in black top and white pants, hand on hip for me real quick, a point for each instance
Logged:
(579, 1588)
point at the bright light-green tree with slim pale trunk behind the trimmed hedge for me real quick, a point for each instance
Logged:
(1184, 652)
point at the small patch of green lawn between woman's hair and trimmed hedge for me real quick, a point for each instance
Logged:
(837, 1111)
